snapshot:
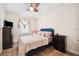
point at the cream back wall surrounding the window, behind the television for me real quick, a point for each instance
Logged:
(15, 19)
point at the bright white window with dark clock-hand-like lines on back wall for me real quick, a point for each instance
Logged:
(24, 27)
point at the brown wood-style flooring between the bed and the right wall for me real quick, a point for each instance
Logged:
(53, 52)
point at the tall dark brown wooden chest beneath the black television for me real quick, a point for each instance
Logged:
(7, 38)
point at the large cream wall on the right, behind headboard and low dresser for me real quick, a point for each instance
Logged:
(64, 19)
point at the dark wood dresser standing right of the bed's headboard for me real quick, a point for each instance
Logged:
(60, 43)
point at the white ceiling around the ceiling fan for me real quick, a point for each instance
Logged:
(20, 8)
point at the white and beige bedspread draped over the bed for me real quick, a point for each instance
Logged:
(26, 43)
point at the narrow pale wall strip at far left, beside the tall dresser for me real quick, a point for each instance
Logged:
(2, 17)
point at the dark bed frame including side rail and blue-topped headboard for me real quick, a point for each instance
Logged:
(34, 51)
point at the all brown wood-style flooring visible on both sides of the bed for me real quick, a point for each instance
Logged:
(46, 52)
